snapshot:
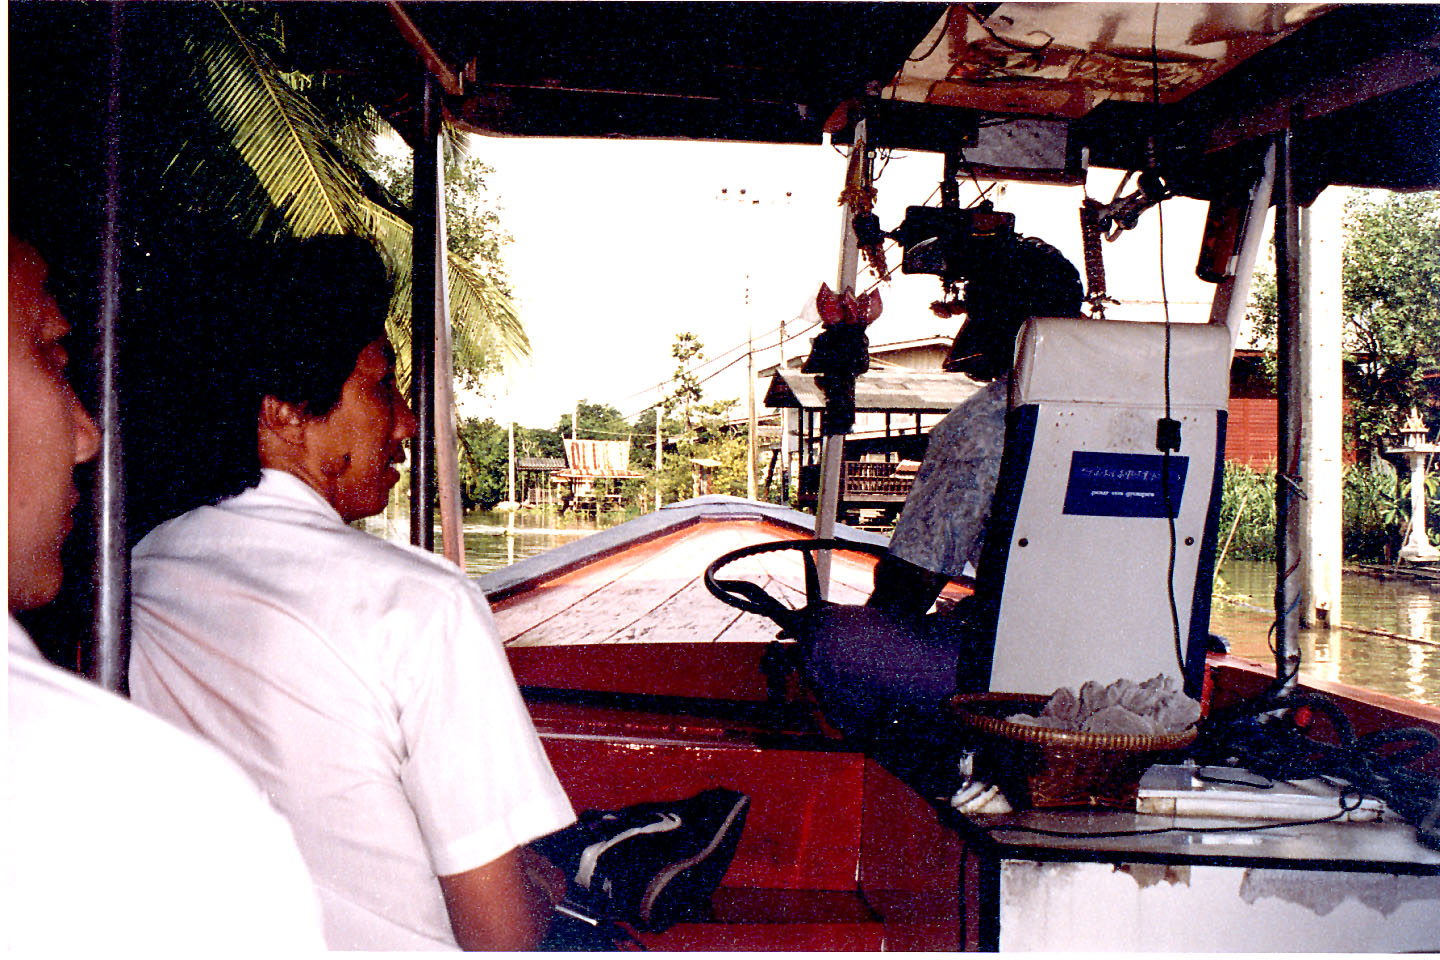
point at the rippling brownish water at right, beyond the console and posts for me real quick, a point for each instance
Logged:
(1383, 660)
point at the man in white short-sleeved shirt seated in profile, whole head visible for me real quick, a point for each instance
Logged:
(362, 683)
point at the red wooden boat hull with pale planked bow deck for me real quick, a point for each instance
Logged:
(646, 687)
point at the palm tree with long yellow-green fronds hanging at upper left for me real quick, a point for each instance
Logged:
(287, 130)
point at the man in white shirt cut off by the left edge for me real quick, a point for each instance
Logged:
(123, 834)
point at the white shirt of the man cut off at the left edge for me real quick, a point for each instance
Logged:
(129, 837)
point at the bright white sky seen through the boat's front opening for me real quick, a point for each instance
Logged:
(621, 245)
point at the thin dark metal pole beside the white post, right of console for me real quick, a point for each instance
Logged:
(1288, 427)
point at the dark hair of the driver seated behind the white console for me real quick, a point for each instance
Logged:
(1027, 279)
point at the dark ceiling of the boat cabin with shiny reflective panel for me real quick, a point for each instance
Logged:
(1020, 89)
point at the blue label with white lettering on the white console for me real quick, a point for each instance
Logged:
(1124, 484)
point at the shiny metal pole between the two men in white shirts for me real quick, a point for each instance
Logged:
(107, 661)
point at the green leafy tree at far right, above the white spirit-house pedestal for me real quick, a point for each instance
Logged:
(1392, 316)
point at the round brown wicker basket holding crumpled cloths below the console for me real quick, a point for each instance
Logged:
(1038, 766)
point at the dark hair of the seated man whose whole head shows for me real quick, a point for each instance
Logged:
(318, 304)
